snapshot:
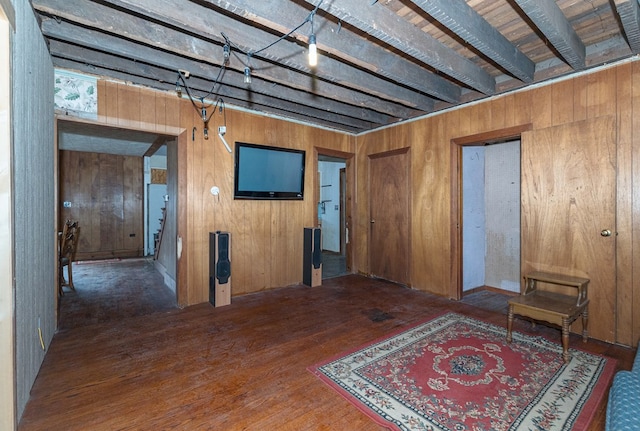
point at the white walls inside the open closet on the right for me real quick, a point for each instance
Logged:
(491, 216)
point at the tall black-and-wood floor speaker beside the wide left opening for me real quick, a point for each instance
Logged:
(219, 268)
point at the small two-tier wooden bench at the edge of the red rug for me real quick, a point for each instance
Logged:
(556, 308)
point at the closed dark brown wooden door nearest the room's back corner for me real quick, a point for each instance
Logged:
(389, 191)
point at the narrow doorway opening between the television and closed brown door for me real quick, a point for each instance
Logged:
(334, 212)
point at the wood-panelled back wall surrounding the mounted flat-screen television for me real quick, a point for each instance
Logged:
(267, 236)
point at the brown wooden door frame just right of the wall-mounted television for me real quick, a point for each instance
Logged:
(349, 199)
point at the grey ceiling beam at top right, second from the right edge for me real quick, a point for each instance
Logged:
(550, 20)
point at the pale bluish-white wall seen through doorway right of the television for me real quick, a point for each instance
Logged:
(330, 194)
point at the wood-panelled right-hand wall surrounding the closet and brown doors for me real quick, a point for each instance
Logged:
(611, 91)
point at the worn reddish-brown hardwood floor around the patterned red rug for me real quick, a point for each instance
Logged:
(126, 359)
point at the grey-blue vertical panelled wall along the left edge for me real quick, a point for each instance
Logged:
(34, 193)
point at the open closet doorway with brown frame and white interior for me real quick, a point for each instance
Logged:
(485, 161)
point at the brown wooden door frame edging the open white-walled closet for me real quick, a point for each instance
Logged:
(455, 225)
